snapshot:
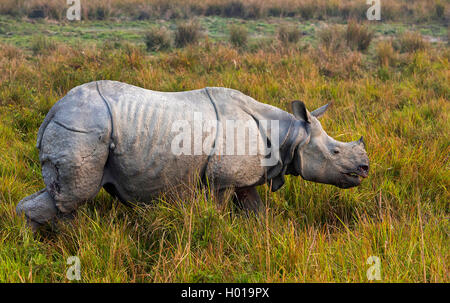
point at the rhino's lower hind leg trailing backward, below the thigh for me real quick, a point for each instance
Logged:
(39, 208)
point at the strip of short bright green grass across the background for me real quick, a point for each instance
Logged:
(21, 32)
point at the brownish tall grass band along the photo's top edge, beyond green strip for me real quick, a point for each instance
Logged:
(401, 10)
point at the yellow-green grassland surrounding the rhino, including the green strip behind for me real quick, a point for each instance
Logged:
(397, 97)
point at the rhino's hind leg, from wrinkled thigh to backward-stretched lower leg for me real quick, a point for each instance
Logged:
(72, 168)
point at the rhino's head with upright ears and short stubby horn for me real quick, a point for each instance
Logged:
(325, 160)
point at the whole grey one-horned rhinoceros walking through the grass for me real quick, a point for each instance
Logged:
(124, 138)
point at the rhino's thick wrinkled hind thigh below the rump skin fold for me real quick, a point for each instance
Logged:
(73, 165)
